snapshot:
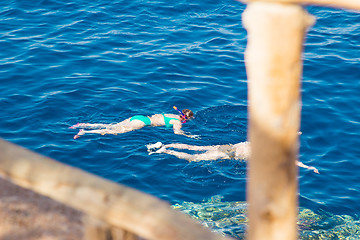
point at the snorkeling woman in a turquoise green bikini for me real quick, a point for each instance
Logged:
(139, 121)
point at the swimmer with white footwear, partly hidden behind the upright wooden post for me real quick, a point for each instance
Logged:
(239, 151)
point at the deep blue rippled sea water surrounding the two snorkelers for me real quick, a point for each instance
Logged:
(64, 62)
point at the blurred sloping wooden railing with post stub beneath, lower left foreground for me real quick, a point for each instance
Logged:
(113, 211)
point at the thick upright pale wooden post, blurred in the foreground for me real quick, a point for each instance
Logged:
(273, 64)
